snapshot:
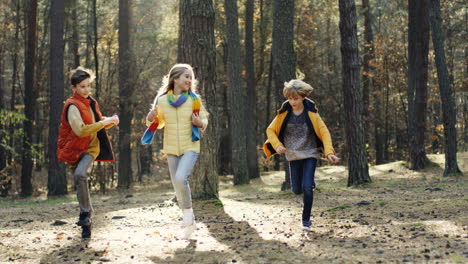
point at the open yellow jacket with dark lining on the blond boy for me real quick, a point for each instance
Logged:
(275, 131)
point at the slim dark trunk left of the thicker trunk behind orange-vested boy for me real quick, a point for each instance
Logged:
(29, 99)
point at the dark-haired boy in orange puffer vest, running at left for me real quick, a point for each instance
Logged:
(83, 139)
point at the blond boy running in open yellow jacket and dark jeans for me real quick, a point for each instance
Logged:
(300, 133)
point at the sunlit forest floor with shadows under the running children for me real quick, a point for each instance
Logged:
(406, 217)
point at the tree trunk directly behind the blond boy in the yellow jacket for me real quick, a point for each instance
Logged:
(283, 55)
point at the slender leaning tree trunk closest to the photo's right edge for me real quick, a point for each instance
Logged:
(446, 91)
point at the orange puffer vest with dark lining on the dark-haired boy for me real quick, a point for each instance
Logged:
(70, 146)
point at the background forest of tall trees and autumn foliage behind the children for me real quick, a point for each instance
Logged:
(387, 85)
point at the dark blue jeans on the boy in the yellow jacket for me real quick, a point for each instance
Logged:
(302, 173)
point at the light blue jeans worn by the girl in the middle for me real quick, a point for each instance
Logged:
(180, 168)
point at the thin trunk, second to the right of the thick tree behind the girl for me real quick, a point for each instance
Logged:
(251, 109)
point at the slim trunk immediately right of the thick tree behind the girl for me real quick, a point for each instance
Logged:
(236, 98)
